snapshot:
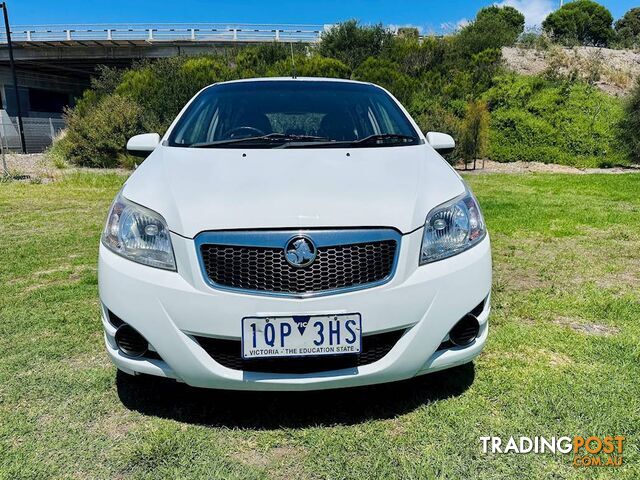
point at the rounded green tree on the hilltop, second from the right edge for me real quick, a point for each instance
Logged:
(582, 22)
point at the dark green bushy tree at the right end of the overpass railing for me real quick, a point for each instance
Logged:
(352, 43)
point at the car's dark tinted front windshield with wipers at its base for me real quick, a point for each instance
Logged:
(293, 113)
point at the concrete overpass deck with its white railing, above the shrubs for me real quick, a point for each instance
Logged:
(76, 46)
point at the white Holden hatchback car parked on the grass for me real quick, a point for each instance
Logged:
(293, 234)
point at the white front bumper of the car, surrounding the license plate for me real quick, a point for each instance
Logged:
(170, 309)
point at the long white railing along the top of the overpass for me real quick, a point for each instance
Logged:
(165, 32)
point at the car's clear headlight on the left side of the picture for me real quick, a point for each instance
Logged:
(139, 234)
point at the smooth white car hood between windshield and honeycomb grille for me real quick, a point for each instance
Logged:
(219, 189)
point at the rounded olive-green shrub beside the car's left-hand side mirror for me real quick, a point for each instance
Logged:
(98, 139)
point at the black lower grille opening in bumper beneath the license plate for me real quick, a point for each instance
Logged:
(229, 354)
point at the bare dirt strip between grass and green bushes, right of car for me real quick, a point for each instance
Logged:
(539, 167)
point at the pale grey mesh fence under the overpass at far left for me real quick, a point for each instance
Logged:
(38, 133)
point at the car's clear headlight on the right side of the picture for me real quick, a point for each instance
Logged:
(452, 228)
